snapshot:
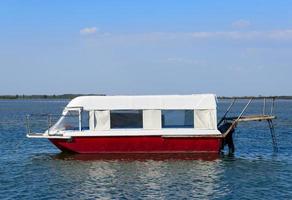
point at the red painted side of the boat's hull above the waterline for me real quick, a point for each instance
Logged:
(138, 144)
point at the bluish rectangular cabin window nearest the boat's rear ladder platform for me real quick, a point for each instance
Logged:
(177, 118)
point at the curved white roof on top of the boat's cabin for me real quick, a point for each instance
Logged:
(194, 101)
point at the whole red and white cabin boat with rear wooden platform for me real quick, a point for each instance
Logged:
(142, 124)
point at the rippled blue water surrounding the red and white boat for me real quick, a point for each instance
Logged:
(35, 169)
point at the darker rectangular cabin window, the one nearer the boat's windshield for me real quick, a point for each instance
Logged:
(126, 119)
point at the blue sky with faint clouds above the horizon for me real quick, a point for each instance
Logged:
(230, 48)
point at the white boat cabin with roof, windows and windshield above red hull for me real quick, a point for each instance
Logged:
(169, 115)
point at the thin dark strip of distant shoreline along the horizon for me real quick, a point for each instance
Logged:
(71, 96)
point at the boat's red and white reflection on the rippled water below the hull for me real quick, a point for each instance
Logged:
(140, 176)
